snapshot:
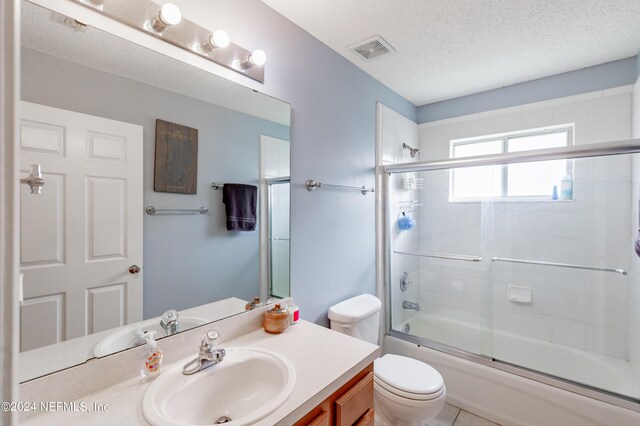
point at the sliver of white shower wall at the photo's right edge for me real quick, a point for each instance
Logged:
(634, 280)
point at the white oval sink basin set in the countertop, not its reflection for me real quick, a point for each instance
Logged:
(246, 386)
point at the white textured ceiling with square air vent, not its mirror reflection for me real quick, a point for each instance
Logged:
(451, 48)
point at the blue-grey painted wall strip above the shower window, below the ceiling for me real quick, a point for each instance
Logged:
(598, 77)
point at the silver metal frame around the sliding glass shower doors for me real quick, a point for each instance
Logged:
(627, 146)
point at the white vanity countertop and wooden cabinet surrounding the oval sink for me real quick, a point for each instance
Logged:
(333, 385)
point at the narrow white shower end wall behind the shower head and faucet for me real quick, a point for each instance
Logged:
(396, 130)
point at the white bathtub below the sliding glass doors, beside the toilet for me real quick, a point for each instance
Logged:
(510, 399)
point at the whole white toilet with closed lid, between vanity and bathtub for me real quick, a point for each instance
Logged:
(407, 392)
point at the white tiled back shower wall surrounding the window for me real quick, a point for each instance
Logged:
(576, 308)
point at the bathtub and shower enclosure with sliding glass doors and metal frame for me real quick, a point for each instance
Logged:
(521, 300)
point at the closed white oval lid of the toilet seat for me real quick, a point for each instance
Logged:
(408, 374)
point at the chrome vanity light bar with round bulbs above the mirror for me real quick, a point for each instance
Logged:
(141, 14)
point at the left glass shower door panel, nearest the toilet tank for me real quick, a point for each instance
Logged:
(437, 276)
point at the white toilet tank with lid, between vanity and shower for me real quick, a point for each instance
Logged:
(358, 317)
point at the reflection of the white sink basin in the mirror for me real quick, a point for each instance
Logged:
(125, 337)
